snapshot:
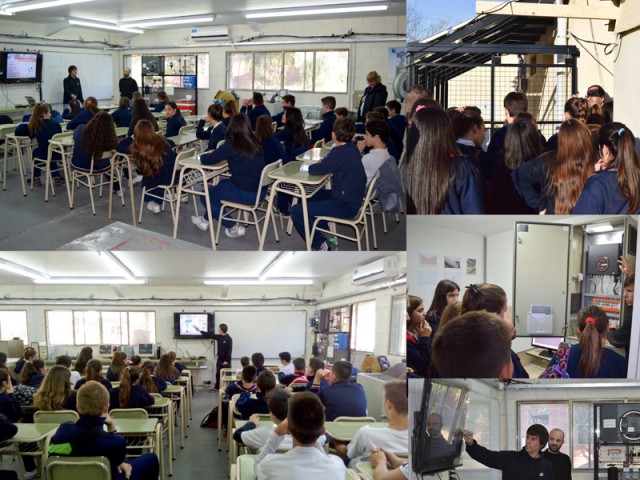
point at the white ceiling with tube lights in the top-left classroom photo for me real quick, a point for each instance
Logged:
(227, 13)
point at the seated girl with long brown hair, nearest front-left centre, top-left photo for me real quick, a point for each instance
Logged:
(155, 160)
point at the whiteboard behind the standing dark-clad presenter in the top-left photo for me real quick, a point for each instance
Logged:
(95, 72)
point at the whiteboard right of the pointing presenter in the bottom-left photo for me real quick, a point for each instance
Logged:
(267, 332)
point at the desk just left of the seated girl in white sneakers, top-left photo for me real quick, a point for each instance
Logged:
(194, 174)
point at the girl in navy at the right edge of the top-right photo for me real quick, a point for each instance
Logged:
(615, 189)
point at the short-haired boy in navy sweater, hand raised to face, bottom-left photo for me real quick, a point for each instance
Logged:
(342, 398)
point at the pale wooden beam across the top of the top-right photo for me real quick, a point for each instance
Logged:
(548, 10)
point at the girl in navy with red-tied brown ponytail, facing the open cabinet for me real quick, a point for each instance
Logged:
(590, 358)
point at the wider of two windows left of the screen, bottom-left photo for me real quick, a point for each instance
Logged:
(86, 327)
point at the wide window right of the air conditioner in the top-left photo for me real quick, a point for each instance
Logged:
(301, 71)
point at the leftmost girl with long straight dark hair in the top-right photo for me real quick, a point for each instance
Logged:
(439, 179)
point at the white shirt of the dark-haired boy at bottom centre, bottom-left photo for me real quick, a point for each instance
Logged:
(301, 462)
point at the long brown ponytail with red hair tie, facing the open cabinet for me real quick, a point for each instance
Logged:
(592, 325)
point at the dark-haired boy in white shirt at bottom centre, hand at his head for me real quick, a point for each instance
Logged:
(305, 423)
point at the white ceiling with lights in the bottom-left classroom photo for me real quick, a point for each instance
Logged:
(185, 268)
